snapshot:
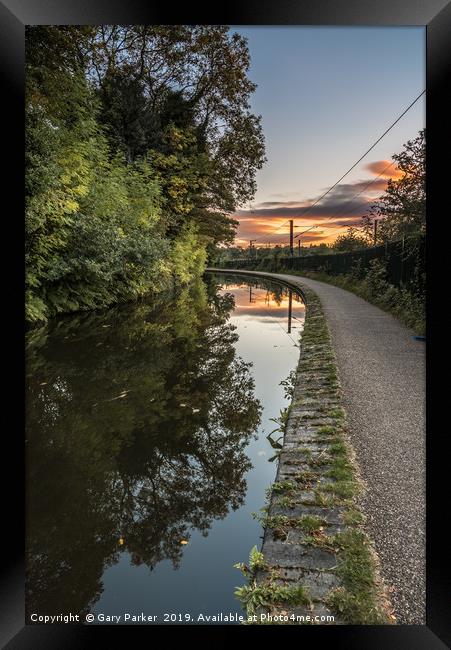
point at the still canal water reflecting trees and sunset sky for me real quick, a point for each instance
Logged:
(147, 449)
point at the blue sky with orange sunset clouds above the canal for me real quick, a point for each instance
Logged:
(325, 95)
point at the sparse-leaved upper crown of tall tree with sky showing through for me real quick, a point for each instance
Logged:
(206, 68)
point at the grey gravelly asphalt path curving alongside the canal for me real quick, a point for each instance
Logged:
(382, 373)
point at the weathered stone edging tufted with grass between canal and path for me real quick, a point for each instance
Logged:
(316, 558)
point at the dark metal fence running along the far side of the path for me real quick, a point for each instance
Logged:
(404, 262)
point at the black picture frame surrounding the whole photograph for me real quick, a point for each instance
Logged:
(436, 16)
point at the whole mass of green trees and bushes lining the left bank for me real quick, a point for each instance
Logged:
(140, 143)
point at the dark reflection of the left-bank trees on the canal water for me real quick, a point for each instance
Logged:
(137, 425)
